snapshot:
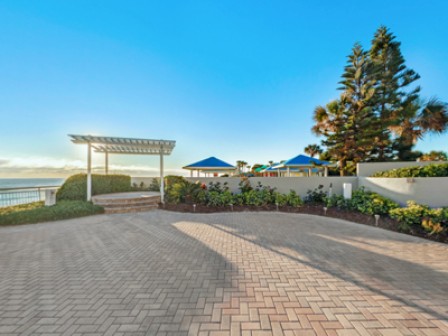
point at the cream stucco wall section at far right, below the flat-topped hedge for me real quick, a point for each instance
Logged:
(432, 191)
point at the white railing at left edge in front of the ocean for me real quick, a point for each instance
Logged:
(23, 195)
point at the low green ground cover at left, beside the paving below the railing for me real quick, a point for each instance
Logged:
(37, 212)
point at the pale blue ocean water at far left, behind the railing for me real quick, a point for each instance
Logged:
(21, 196)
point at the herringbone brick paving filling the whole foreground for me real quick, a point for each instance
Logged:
(258, 274)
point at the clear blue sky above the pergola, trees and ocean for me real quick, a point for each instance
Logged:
(233, 79)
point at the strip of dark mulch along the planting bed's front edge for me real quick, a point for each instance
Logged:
(352, 216)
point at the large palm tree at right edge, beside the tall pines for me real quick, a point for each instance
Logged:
(418, 119)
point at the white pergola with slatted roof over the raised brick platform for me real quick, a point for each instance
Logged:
(114, 145)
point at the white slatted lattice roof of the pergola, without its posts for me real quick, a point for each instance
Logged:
(115, 145)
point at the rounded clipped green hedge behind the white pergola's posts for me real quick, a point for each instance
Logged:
(75, 187)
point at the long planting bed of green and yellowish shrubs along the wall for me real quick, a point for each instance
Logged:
(415, 219)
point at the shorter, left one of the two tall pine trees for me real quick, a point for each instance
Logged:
(349, 124)
